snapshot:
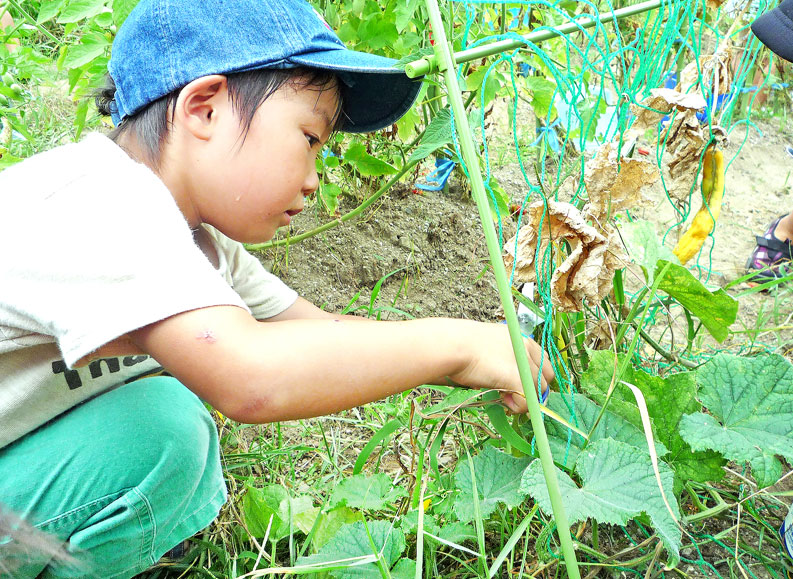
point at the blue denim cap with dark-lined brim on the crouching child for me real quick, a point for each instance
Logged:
(165, 44)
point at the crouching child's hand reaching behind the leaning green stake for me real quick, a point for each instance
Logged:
(492, 365)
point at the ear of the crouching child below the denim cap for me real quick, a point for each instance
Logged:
(199, 103)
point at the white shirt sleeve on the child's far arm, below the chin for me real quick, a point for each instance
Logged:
(264, 293)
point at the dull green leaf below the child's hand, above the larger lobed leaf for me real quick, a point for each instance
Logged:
(582, 412)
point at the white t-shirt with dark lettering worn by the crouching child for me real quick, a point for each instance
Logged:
(93, 246)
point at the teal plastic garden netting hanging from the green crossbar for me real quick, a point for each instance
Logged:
(596, 75)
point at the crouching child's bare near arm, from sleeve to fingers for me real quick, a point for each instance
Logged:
(270, 371)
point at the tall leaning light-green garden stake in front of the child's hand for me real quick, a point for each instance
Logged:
(443, 54)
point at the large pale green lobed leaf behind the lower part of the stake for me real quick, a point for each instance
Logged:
(618, 485)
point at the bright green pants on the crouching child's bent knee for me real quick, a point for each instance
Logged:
(122, 479)
